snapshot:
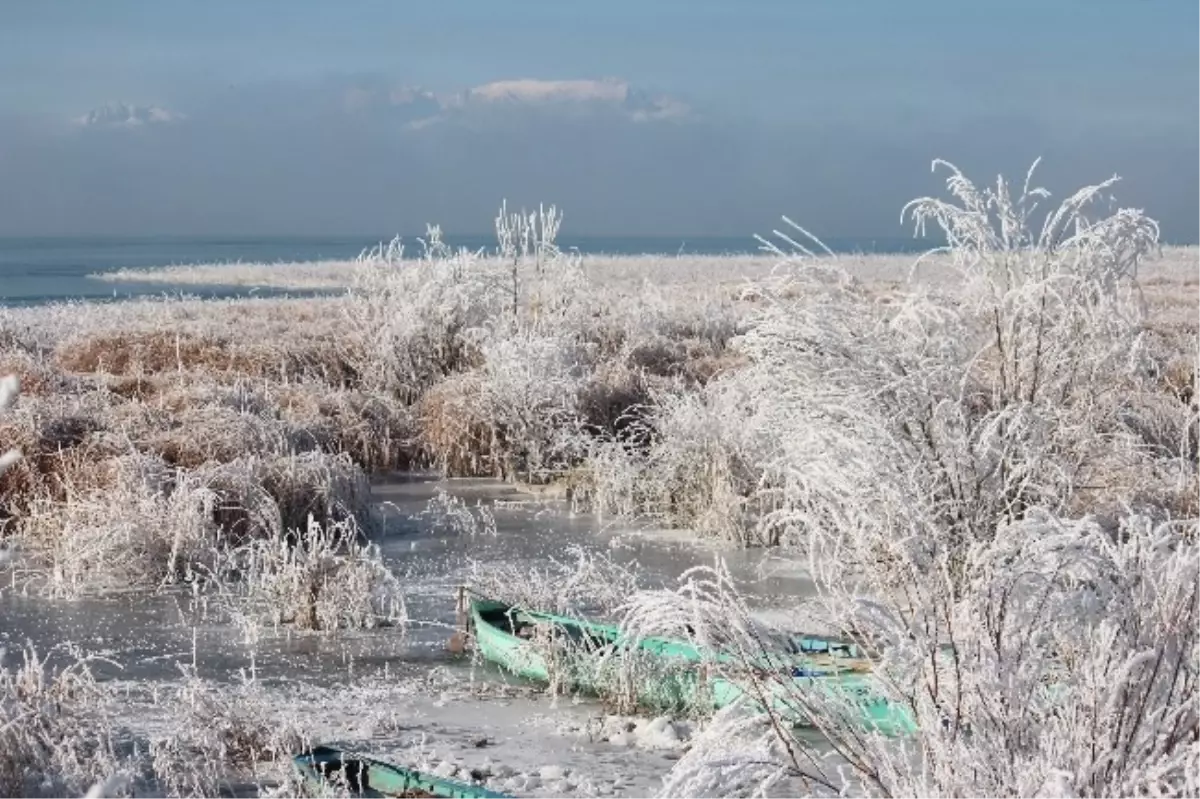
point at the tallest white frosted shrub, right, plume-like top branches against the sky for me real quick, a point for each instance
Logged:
(957, 417)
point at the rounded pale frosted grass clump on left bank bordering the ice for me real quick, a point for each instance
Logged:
(157, 526)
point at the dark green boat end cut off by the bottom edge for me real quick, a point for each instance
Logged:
(328, 768)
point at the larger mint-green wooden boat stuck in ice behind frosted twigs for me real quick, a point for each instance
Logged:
(508, 636)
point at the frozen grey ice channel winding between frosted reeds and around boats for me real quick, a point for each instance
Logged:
(406, 698)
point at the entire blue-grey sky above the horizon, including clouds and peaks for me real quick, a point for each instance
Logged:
(659, 117)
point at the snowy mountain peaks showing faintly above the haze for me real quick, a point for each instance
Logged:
(416, 107)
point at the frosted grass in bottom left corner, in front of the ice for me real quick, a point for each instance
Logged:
(68, 735)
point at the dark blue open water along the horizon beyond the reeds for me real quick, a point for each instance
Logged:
(41, 271)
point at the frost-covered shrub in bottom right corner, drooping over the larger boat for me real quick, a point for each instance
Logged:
(1053, 660)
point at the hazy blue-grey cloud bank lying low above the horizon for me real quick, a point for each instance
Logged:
(374, 157)
